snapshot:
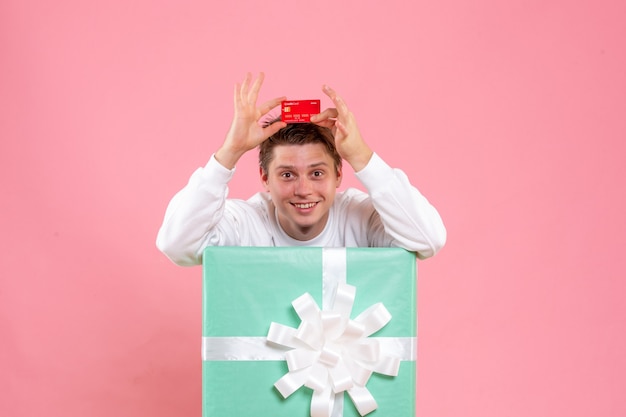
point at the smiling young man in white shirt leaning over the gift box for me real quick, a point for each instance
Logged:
(301, 169)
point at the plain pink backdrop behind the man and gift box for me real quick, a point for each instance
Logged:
(508, 115)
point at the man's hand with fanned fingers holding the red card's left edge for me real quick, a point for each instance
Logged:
(245, 132)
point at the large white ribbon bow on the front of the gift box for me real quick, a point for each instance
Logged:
(332, 353)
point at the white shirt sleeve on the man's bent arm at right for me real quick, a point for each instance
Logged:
(407, 216)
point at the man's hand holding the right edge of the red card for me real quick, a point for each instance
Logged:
(348, 140)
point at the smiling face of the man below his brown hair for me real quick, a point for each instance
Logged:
(302, 182)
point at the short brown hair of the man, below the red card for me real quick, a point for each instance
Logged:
(299, 134)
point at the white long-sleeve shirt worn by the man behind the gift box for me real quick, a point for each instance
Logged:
(392, 213)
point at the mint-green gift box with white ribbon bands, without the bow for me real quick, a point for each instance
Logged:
(246, 289)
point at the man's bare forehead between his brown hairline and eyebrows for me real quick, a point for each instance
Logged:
(300, 156)
